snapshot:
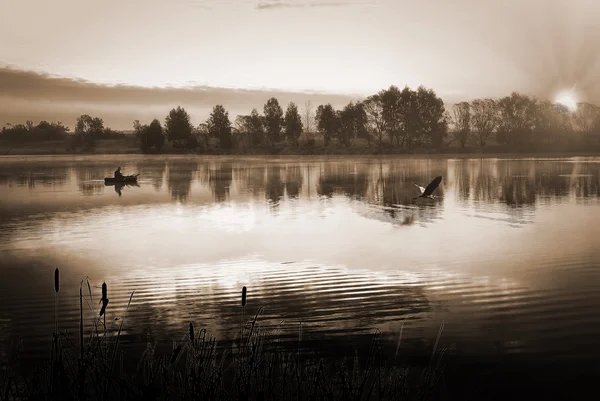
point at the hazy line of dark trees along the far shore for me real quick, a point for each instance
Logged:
(391, 122)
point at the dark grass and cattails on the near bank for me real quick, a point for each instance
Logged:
(254, 367)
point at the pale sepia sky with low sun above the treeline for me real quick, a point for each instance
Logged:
(128, 59)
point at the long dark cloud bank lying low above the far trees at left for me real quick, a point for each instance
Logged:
(36, 96)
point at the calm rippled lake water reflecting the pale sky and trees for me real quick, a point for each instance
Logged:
(508, 256)
